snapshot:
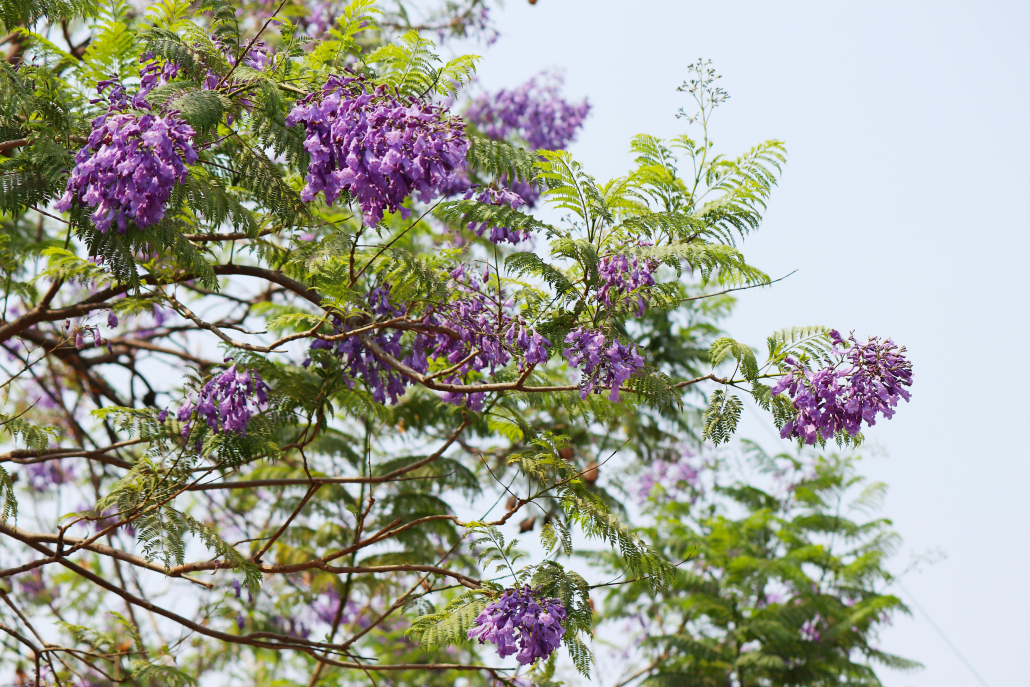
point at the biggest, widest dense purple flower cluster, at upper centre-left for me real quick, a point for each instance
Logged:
(377, 148)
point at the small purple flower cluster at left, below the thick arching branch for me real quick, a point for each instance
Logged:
(225, 403)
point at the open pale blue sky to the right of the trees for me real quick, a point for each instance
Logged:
(902, 205)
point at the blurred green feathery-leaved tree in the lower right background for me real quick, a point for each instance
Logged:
(783, 585)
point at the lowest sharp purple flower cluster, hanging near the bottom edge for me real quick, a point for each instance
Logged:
(520, 623)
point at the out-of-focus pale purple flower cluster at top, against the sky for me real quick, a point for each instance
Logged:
(535, 112)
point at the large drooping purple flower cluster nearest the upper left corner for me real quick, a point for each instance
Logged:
(132, 159)
